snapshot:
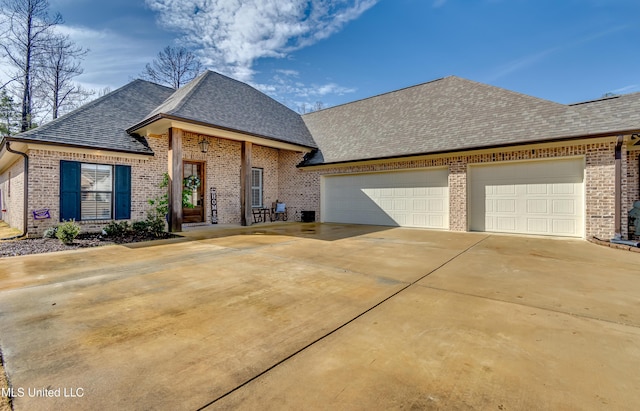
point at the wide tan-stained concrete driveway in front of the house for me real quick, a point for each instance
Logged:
(310, 316)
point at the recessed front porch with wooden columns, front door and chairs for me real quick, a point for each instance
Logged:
(236, 181)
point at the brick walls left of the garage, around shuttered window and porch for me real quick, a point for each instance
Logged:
(222, 170)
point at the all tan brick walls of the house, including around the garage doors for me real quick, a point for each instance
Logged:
(300, 188)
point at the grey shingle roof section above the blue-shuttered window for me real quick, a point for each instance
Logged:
(102, 123)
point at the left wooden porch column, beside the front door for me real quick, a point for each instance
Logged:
(175, 179)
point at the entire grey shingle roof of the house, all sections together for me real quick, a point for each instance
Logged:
(450, 114)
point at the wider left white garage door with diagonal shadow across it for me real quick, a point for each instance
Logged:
(400, 198)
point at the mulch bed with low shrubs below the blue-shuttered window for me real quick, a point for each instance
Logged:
(26, 246)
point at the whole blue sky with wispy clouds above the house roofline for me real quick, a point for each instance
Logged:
(336, 51)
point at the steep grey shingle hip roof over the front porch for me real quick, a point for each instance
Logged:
(220, 101)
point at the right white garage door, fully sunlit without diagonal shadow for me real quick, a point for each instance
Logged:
(538, 197)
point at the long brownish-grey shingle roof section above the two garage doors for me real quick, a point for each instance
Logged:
(449, 114)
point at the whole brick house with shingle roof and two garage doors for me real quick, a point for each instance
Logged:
(450, 154)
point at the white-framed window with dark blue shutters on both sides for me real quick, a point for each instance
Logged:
(94, 191)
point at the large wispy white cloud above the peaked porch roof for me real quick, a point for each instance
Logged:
(232, 34)
